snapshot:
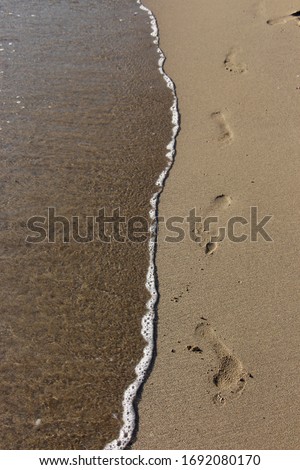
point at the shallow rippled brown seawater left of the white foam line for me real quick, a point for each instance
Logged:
(85, 120)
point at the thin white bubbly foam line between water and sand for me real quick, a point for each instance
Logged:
(147, 331)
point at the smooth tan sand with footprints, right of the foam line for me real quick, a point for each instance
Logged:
(237, 76)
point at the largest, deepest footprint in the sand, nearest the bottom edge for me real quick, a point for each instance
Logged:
(229, 375)
